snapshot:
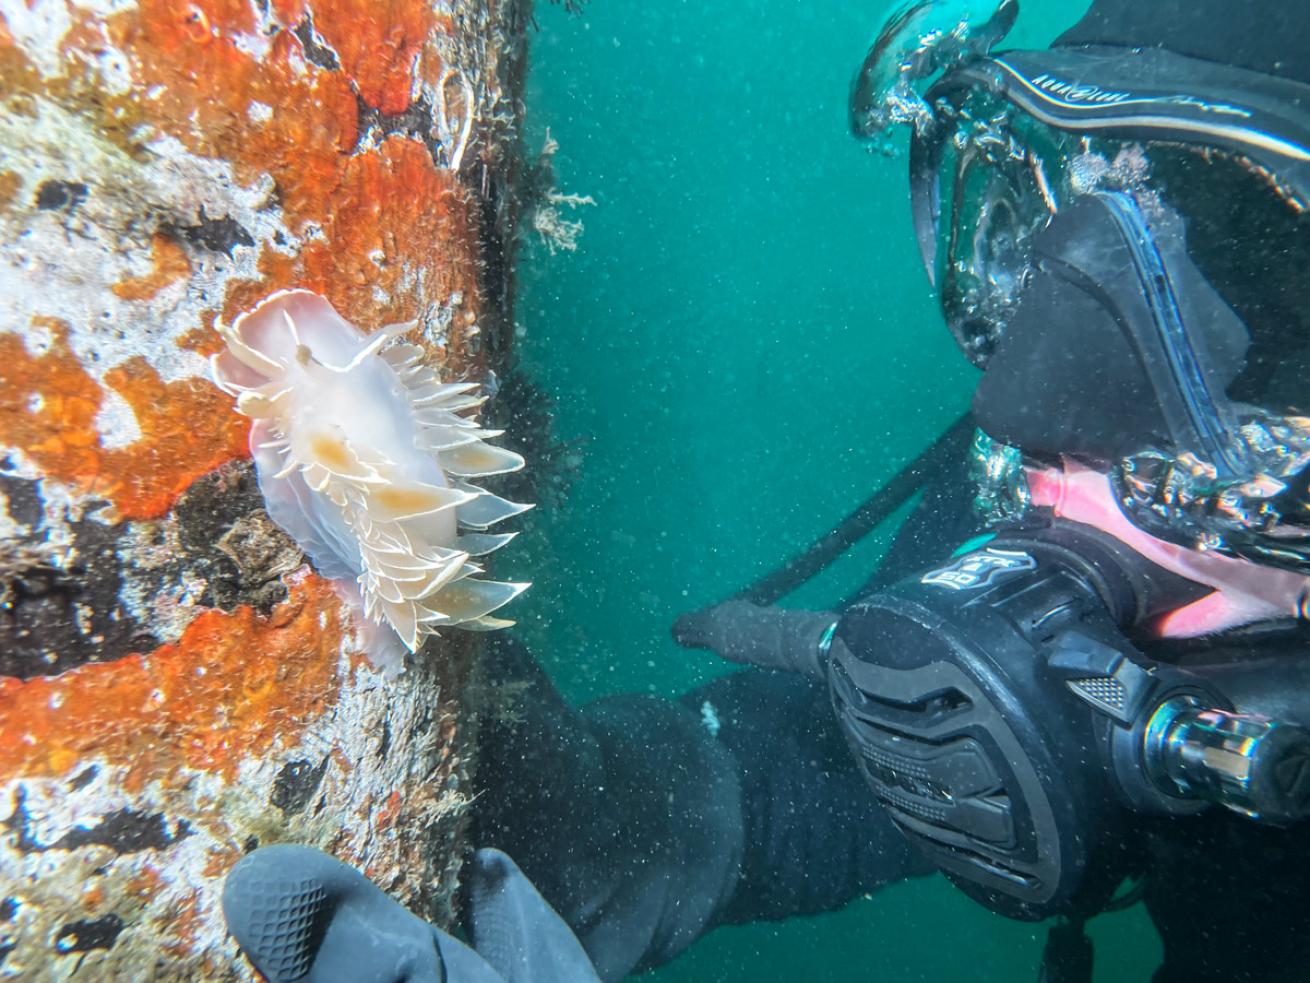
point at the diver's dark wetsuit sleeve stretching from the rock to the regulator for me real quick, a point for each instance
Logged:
(645, 822)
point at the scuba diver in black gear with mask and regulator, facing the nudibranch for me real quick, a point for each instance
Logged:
(1077, 682)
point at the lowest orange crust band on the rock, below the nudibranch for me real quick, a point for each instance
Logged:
(222, 695)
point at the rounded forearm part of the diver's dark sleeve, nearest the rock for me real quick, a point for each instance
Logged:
(627, 815)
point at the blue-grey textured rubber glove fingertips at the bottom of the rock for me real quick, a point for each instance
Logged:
(302, 916)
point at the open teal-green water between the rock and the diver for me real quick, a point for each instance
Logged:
(742, 349)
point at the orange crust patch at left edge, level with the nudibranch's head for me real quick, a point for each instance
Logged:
(49, 406)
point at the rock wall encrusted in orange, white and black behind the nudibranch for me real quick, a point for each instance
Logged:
(176, 686)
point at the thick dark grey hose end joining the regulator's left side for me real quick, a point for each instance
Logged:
(760, 636)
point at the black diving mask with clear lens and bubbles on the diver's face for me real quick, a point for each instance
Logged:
(1119, 241)
